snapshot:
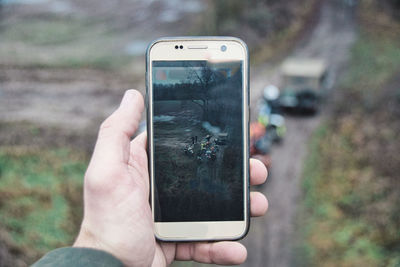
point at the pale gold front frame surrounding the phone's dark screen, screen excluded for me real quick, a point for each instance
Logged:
(164, 49)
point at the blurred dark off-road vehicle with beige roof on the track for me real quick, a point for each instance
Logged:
(304, 83)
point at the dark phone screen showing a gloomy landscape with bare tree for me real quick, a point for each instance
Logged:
(198, 141)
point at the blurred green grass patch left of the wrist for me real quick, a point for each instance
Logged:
(40, 196)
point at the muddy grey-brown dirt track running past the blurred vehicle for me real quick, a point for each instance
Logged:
(271, 238)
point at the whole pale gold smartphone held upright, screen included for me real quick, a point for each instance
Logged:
(197, 122)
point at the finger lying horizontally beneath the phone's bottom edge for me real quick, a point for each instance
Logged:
(223, 253)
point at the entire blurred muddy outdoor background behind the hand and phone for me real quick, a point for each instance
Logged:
(325, 111)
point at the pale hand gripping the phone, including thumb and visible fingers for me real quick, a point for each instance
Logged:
(117, 214)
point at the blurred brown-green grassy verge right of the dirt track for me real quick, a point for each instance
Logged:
(350, 213)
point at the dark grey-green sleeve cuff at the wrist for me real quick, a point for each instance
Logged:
(63, 257)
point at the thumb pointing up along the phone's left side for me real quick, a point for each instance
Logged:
(112, 145)
